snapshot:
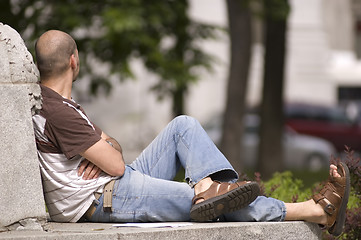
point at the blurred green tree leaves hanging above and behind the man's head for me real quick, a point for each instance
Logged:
(161, 34)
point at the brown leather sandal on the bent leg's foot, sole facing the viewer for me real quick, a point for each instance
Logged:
(221, 198)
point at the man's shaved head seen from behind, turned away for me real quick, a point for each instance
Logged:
(53, 51)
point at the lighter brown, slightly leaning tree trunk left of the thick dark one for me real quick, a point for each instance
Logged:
(239, 18)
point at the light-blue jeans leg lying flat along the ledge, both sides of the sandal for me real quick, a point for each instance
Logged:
(141, 198)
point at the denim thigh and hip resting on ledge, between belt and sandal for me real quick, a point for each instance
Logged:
(140, 198)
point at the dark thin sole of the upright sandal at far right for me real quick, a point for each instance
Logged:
(337, 229)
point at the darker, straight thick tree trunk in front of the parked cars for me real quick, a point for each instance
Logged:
(272, 120)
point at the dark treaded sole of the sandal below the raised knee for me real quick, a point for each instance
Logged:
(229, 202)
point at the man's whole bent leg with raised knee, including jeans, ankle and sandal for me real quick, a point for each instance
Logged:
(184, 142)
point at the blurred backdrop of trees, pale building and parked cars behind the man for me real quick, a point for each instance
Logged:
(275, 83)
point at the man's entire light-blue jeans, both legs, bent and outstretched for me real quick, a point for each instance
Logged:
(146, 192)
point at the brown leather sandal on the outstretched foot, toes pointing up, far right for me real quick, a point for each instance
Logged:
(333, 198)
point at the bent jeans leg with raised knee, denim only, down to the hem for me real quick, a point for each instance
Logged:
(184, 142)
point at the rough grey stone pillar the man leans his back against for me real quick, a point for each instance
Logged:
(21, 195)
